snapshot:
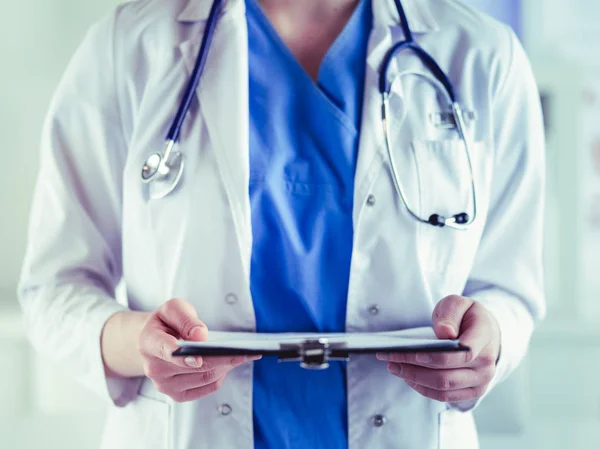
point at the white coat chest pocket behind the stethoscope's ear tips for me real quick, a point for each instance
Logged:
(445, 188)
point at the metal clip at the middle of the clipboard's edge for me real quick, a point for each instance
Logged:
(313, 354)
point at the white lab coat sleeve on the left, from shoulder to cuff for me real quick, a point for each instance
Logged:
(73, 261)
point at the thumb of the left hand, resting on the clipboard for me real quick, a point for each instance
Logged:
(182, 318)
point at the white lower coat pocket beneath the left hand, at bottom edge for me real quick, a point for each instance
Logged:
(143, 424)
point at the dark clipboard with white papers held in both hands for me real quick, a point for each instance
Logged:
(315, 350)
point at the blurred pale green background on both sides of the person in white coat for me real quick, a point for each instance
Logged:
(553, 401)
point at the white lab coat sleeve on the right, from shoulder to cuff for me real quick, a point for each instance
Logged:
(507, 276)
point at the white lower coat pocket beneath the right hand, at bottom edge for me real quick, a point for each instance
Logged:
(457, 430)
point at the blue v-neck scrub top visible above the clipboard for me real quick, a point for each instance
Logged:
(303, 153)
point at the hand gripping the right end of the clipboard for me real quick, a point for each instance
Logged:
(453, 377)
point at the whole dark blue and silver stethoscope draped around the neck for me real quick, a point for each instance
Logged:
(163, 171)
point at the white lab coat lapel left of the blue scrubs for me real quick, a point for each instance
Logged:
(223, 99)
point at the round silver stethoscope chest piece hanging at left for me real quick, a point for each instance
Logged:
(162, 174)
